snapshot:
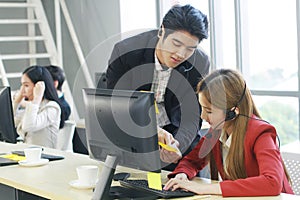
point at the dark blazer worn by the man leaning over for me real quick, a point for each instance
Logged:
(131, 67)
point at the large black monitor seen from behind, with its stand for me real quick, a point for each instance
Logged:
(121, 130)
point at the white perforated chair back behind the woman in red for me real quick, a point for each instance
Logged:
(292, 163)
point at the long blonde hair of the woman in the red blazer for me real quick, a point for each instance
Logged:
(226, 89)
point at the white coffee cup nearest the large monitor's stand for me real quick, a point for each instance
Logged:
(87, 174)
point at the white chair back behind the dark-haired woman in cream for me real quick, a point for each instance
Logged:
(65, 136)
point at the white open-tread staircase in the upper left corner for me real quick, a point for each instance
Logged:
(35, 7)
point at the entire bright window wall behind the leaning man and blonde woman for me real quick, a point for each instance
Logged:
(264, 47)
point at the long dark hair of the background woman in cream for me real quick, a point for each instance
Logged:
(37, 73)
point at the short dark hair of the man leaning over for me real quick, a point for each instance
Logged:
(186, 18)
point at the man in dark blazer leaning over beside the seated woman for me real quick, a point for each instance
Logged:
(167, 62)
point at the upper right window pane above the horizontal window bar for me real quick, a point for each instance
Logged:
(272, 41)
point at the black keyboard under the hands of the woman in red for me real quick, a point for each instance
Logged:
(142, 185)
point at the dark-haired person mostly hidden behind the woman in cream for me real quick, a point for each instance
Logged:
(58, 76)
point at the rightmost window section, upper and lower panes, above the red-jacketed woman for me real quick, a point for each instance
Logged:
(271, 62)
